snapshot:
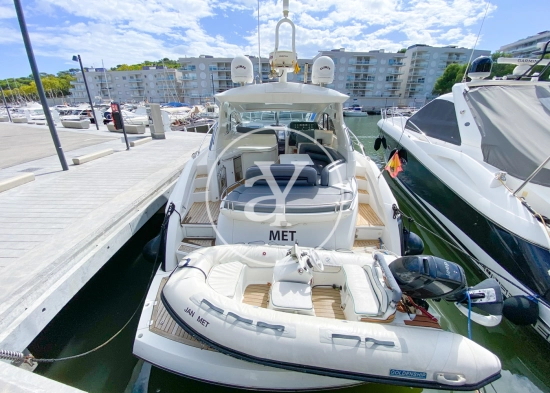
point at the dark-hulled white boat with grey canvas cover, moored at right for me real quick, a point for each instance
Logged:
(477, 159)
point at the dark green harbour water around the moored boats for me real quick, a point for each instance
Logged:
(103, 306)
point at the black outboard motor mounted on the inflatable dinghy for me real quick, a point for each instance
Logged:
(429, 277)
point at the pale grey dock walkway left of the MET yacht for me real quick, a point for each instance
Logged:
(56, 232)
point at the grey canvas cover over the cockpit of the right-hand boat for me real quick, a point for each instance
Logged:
(514, 122)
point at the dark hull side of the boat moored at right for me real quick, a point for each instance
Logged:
(483, 238)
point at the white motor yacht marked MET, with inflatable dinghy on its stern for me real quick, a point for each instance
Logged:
(258, 188)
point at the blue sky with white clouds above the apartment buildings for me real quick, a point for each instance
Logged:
(113, 32)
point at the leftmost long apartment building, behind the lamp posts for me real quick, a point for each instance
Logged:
(151, 83)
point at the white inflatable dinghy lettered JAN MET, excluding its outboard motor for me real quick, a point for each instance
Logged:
(205, 296)
